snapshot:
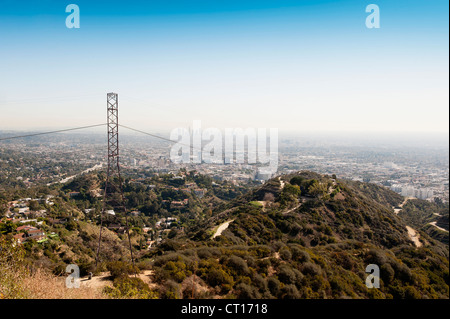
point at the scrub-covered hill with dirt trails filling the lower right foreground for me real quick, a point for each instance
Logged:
(307, 236)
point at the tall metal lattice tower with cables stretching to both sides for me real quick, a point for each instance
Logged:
(113, 198)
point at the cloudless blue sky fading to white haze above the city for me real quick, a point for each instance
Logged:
(298, 65)
